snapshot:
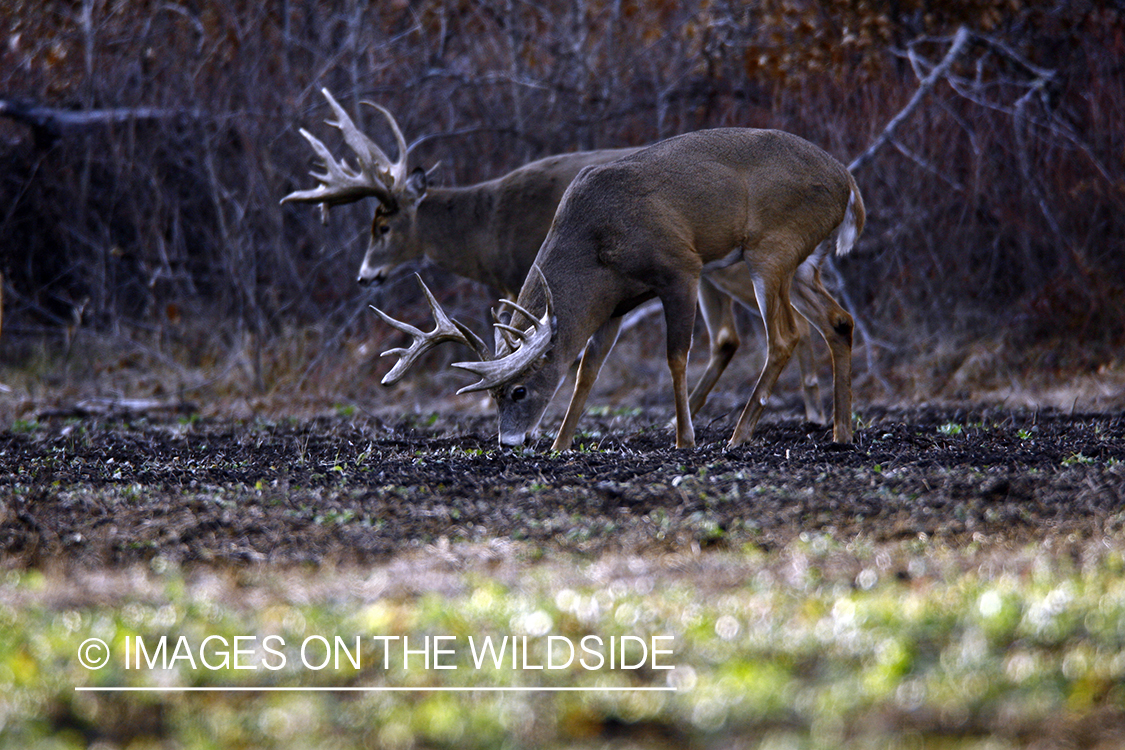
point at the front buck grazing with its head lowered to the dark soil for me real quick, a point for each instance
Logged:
(651, 224)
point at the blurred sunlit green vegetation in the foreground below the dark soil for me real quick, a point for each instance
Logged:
(814, 646)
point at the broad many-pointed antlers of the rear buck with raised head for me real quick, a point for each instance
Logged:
(343, 184)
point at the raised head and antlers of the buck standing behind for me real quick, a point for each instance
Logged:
(398, 189)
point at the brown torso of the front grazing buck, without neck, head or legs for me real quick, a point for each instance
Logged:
(694, 200)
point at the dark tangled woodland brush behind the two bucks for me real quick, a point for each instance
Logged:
(145, 147)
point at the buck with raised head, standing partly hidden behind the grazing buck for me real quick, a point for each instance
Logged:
(491, 233)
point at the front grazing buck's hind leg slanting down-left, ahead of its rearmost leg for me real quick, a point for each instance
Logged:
(781, 340)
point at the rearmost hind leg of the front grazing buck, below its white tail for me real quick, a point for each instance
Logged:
(836, 326)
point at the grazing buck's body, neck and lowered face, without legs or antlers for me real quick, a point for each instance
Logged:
(652, 221)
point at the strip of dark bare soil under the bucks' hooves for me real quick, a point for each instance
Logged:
(346, 491)
